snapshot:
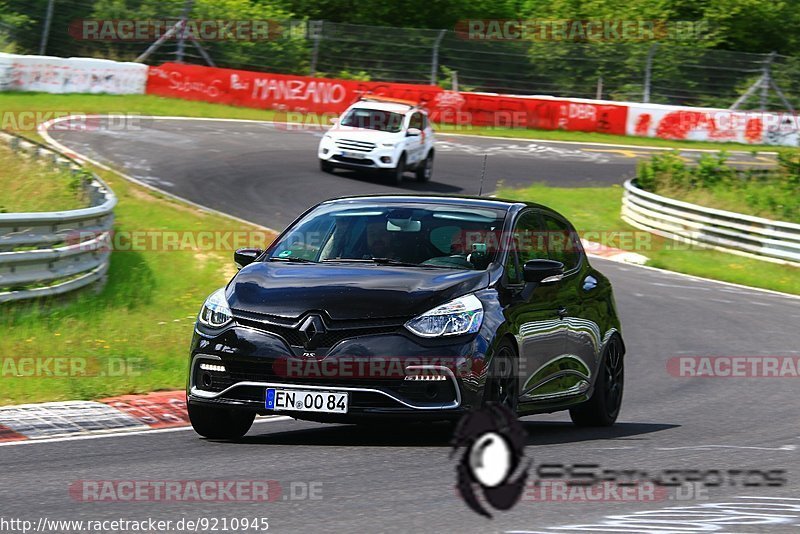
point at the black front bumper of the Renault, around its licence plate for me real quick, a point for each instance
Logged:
(372, 369)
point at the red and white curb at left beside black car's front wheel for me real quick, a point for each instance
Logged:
(117, 414)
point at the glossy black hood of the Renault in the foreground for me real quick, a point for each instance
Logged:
(347, 291)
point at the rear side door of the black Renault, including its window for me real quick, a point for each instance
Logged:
(581, 333)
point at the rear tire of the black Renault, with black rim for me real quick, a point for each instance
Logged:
(604, 405)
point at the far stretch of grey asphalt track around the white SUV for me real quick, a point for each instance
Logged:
(268, 173)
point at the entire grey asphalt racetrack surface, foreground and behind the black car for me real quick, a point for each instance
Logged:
(402, 480)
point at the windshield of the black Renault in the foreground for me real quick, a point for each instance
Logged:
(423, 235)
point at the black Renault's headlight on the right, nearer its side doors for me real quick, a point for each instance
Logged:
(463, 315)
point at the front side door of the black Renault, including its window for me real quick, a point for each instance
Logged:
(534, 320)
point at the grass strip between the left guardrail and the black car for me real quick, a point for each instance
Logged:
(133, 335)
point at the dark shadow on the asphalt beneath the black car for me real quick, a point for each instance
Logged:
(439, 434)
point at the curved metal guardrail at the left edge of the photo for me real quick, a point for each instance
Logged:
(51, 253)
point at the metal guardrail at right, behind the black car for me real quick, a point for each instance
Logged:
(764, 239)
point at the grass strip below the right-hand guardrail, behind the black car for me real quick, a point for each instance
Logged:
(595, 212)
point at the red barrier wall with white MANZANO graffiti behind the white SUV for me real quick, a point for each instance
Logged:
(325, 95)
